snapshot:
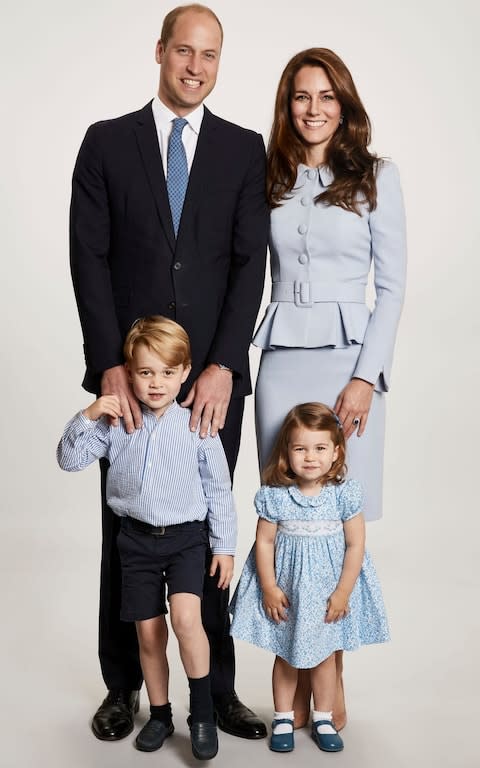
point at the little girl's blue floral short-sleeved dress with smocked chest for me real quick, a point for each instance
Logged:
(309, 552)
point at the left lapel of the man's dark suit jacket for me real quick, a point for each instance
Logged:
(147, 139)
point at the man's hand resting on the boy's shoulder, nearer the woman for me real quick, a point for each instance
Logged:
(210, 395)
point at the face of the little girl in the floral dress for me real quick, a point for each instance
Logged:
(311, 454)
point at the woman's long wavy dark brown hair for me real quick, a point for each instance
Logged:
(352, 165)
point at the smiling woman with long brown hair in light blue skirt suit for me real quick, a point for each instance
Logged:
(336, 210)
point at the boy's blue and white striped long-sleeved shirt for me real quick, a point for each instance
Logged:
(163, 473)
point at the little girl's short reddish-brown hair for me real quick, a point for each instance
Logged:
(314, 416)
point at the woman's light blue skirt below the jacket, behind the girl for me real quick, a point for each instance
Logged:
(288, 377)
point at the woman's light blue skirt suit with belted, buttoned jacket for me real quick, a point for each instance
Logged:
(318, 332)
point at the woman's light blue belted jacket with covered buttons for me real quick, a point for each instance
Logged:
(320, 260)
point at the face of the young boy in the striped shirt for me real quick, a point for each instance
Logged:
(154, 382)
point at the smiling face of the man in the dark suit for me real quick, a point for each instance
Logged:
(189, 62)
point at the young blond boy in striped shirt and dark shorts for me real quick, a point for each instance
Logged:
(164, 481)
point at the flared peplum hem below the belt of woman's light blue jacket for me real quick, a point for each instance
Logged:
(325, 324)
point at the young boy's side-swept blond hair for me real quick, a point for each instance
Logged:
(164, 337)
